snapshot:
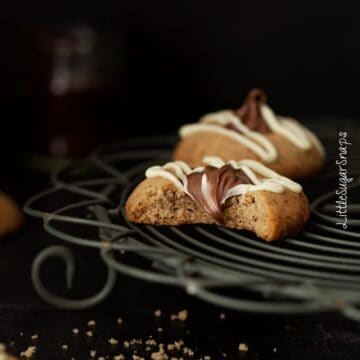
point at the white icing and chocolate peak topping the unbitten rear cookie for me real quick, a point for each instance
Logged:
(250, 124)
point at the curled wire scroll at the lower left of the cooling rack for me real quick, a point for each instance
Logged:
(58, 301)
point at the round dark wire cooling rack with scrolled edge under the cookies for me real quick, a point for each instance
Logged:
(316, 271)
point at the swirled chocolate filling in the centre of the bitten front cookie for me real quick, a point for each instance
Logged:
(209, 187)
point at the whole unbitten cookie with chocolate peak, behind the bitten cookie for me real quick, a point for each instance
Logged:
(255, 132)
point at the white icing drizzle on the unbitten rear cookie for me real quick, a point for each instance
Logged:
(255, 141)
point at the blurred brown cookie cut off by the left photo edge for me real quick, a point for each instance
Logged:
(11, 217)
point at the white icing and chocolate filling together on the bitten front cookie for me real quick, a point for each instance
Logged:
(211, 185)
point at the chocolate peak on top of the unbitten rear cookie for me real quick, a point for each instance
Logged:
(250, 113)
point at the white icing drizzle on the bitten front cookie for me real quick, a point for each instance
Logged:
(262, 177)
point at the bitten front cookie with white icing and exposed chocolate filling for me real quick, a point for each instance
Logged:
(238, 194)
